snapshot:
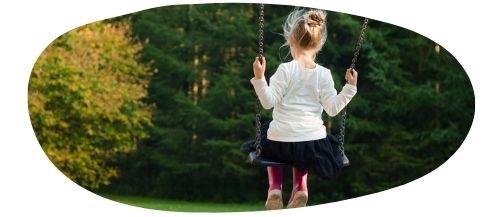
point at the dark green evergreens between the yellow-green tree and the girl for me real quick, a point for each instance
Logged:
(204, 102)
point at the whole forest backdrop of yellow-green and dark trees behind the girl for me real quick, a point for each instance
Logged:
(157, 103)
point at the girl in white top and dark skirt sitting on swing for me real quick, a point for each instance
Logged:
(299, 91)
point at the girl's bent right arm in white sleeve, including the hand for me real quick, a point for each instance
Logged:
(332, 102)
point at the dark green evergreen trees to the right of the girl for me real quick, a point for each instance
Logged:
(414, 107)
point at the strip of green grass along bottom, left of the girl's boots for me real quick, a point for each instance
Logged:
(184, 206)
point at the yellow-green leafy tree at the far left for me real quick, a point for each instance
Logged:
(84, 100)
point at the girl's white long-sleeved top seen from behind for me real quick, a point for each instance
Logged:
(299, 95)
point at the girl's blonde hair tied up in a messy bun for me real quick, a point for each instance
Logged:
(306, 27)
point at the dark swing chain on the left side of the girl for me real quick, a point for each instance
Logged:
(260, 55)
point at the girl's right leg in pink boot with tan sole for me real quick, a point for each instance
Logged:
(299, 196)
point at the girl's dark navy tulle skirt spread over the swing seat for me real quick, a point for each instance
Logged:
(321, 156)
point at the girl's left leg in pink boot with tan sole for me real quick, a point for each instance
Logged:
(274, 199)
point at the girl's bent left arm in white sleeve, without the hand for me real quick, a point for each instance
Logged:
(273, 94)
